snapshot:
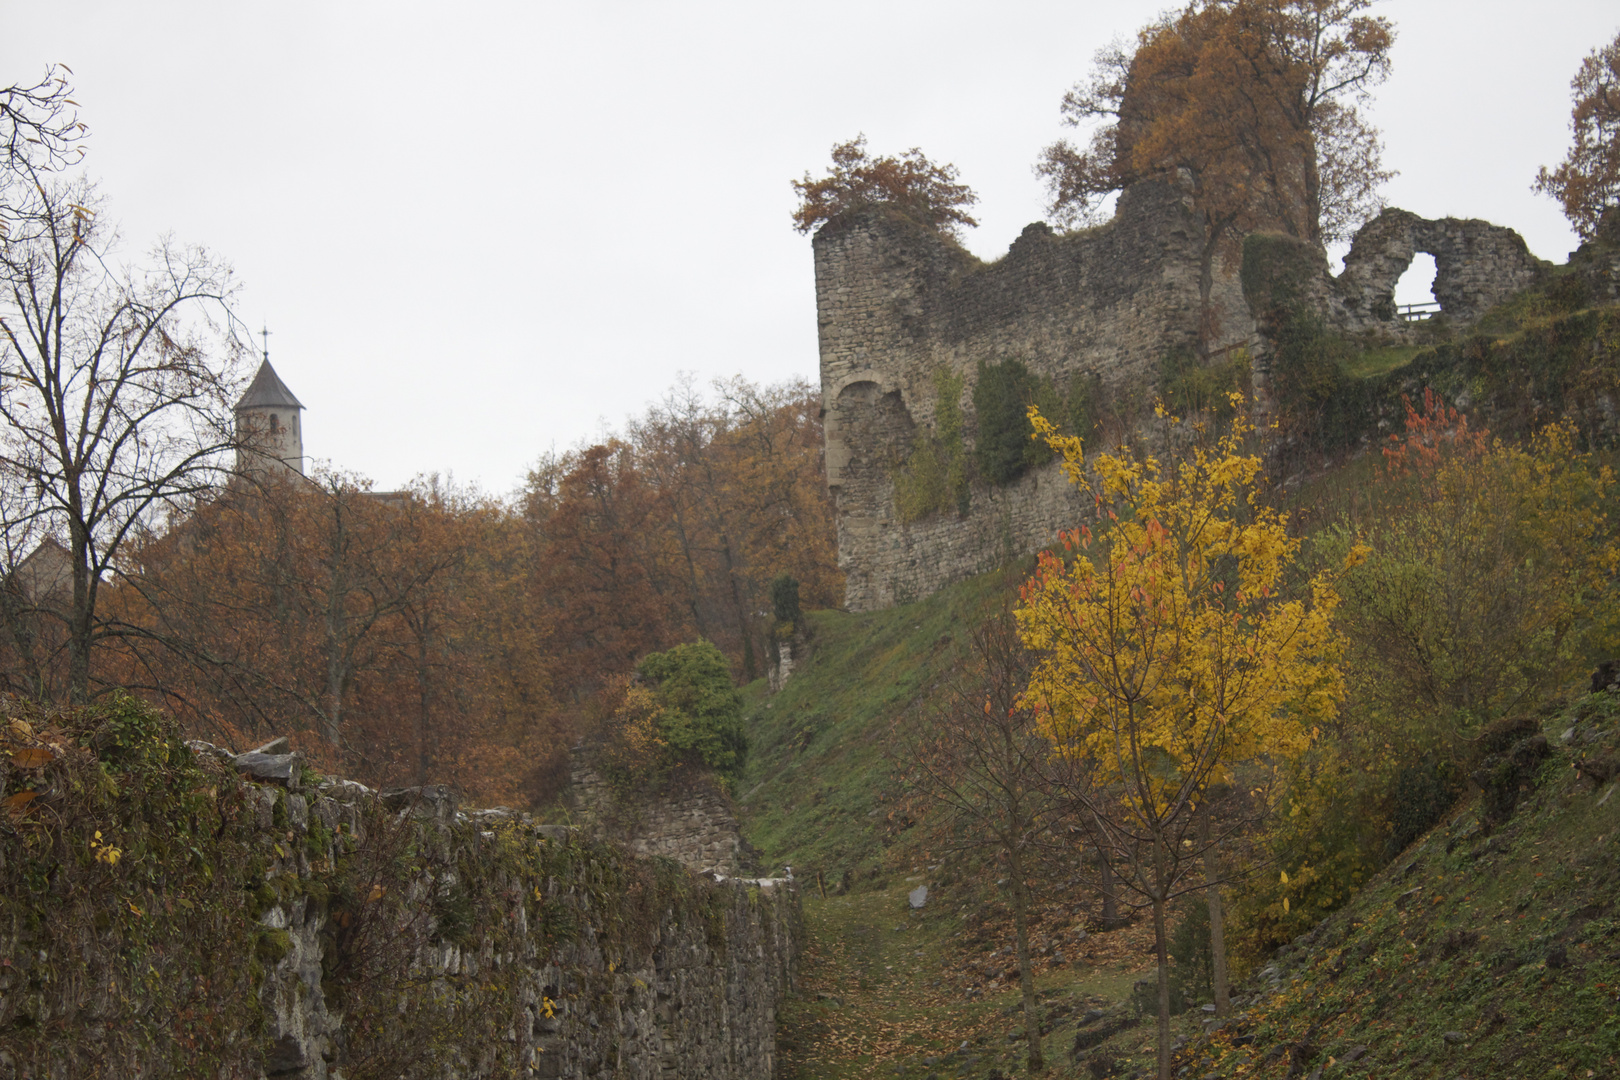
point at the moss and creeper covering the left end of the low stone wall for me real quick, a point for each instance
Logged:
(119, 853)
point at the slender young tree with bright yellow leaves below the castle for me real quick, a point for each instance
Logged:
(1177, 652)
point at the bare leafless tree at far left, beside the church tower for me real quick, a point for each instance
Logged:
(116, 386)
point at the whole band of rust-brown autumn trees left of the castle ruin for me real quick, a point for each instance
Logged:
(438, 637)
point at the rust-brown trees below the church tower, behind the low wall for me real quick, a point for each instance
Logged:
(382, 626)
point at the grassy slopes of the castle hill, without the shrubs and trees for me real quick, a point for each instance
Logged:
(1491, 948)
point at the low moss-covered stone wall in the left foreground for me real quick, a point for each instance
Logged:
(373, 937)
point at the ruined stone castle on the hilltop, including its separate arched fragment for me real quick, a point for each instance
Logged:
(898, 307)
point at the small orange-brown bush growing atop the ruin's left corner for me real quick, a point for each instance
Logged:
(911, 184)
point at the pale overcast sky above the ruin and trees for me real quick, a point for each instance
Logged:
(482, 231)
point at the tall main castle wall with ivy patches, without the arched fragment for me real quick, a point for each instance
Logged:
(897, 302)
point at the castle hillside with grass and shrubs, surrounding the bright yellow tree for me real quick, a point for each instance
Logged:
(1430, 891)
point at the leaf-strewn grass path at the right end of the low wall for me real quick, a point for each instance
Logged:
(892, 992)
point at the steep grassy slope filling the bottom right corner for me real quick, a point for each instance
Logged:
(1480, 953)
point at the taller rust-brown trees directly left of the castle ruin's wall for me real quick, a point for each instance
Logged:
(676, 532)
